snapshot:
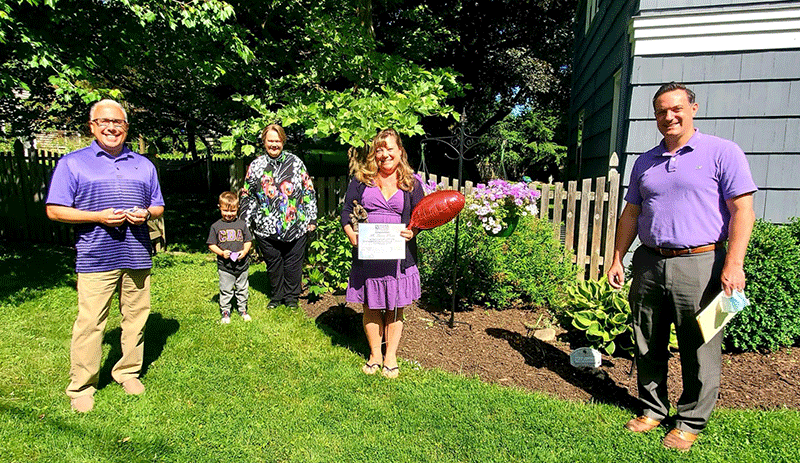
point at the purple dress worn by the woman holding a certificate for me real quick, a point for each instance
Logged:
(382, 284)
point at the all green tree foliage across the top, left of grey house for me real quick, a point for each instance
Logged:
(205, 68)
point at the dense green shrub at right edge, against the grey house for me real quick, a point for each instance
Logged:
(772, 266)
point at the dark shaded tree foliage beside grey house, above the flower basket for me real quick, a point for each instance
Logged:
(508, 52)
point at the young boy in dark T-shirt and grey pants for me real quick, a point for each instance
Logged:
(230, 240)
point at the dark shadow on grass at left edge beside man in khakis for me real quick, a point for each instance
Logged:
(26, 269)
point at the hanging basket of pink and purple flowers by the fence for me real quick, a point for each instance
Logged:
(499, 205)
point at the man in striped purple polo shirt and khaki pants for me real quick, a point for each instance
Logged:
(109, 193)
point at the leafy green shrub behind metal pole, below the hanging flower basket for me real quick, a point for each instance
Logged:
(528, 267)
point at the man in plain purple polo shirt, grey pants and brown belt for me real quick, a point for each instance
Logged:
(686, 198)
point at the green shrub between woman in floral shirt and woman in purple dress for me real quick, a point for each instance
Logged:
(328, 263)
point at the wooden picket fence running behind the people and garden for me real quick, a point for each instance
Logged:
(584, 219)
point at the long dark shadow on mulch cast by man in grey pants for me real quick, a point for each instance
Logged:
(539, 354)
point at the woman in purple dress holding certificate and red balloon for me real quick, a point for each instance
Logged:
(387, 189)
